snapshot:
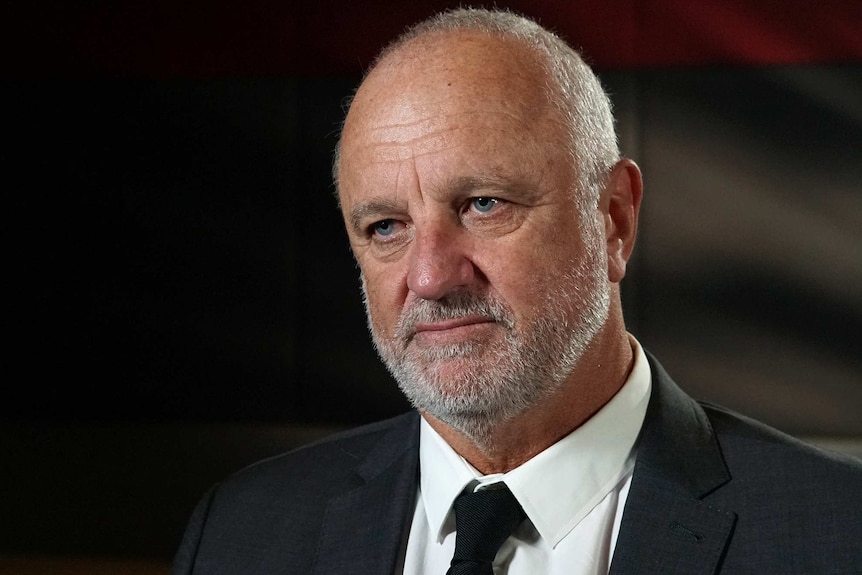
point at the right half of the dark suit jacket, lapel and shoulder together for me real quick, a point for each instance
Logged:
(791, 507)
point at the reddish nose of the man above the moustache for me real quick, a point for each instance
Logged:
(439, 264)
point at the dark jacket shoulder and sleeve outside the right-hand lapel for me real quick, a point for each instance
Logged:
(796, 505)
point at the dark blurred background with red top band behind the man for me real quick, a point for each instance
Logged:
(181, 296)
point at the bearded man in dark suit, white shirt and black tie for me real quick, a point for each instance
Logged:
(492, 219)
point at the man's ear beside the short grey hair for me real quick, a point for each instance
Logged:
(620, 204)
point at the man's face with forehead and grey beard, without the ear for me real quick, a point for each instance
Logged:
(483, 283)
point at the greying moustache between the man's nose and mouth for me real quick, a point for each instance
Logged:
(452, 306)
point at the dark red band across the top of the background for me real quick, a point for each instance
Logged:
(171, 38)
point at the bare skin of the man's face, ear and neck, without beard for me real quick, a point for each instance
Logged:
(448, 119)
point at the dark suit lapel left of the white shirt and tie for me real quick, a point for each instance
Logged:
(364, 528)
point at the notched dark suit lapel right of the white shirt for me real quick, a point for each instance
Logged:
(666, 526)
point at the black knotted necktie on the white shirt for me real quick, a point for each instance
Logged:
(483, 521)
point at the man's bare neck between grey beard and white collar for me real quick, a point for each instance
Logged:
(599, 375)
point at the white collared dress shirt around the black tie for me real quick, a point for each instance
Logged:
(573, 493)
